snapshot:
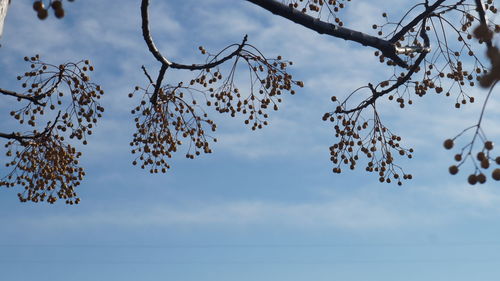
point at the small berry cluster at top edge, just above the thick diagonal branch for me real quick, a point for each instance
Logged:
(318, 7)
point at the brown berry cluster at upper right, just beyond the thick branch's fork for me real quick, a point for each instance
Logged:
(449, 68)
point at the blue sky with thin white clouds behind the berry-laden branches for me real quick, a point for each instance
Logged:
(264, 205)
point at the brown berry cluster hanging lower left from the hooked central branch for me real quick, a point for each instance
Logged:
(163, 126)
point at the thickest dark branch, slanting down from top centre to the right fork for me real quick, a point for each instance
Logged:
(386, 47)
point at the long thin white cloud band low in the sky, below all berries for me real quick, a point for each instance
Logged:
(362, 209)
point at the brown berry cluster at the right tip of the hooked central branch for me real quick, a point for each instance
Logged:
(269, 81)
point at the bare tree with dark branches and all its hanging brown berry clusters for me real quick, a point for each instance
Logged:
(431, 47)
